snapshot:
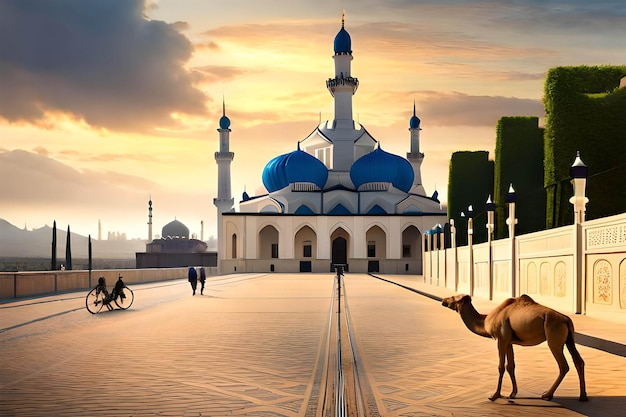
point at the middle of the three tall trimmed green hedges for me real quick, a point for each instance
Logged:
(519, 161)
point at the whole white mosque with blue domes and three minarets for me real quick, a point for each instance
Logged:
(338, 199)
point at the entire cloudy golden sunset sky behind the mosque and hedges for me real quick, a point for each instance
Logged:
(106, 104)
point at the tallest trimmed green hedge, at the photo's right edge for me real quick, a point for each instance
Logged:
(586, 112)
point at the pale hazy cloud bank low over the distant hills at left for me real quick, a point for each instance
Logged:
(44, 189)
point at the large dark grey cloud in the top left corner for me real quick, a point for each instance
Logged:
(99, 61)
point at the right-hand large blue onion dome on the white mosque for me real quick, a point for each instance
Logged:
(381, 166)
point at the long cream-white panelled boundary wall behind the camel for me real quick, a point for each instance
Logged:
(576, 268)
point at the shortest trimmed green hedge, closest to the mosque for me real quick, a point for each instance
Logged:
(470, 183)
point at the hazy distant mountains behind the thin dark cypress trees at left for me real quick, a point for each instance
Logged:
(16, 242)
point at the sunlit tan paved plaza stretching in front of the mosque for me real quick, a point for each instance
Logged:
(256, 345)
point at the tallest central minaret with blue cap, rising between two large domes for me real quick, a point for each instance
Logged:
(342, 87)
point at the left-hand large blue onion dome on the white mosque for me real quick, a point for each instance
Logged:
(296, 166)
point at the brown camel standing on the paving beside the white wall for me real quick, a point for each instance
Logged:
(522, 321)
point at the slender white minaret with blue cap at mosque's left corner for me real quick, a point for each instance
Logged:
(224, 202)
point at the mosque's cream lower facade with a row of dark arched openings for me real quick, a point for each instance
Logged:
(261, 242)
